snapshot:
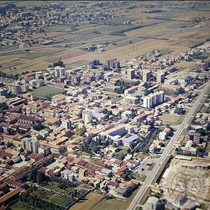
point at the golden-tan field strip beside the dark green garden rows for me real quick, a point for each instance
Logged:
(87, 202)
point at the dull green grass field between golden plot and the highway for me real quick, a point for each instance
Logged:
(120, 204)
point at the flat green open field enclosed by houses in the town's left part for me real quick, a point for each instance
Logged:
(46, 91)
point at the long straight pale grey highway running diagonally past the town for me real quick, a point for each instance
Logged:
(167, 151)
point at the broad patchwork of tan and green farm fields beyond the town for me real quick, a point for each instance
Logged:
(172, 23)
